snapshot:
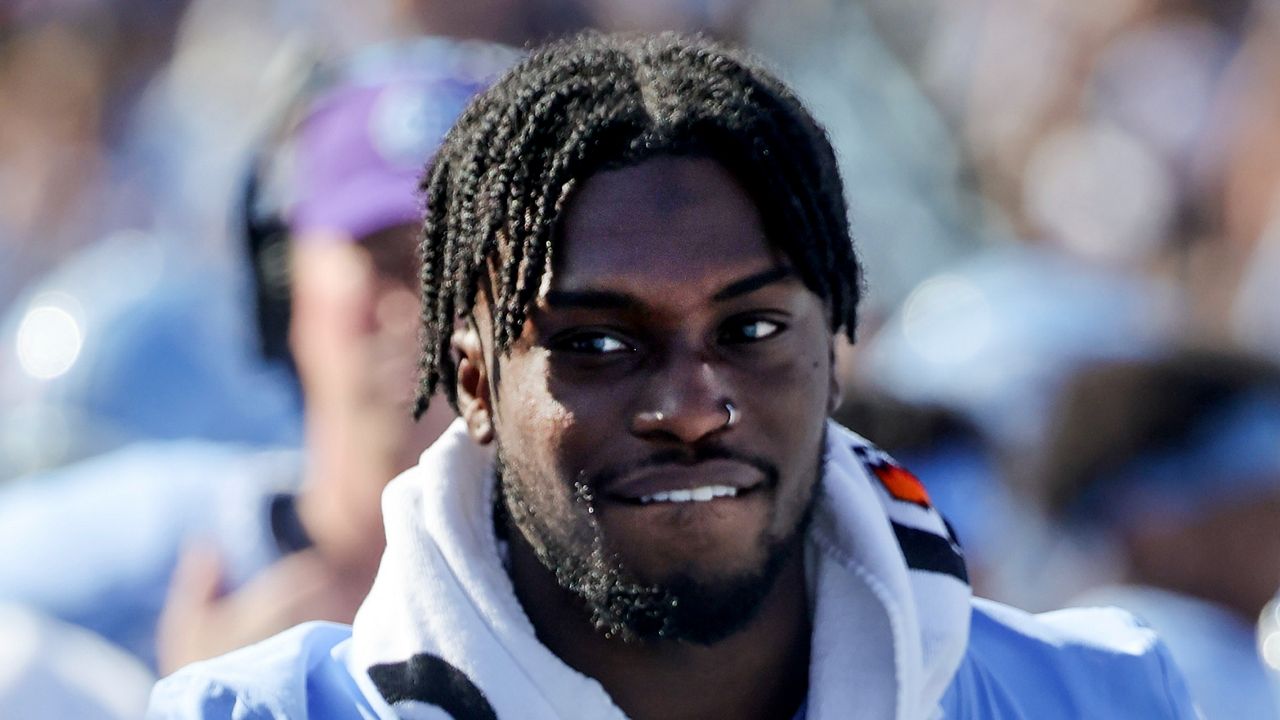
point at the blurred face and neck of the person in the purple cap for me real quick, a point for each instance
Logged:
(354, 336)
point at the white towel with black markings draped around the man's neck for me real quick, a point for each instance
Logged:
(442, 625)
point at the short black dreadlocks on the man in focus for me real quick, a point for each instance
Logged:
(600, 102)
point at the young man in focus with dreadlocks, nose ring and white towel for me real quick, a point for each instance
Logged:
(637, 262)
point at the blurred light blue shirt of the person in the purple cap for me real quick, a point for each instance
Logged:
(97, 544)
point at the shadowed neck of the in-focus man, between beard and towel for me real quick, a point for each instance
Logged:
(761, 672)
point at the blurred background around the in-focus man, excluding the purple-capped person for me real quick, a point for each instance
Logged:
(1067, 211)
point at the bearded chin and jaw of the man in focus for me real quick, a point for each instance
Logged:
(698, 572)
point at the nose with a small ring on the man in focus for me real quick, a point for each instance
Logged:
(688, 403)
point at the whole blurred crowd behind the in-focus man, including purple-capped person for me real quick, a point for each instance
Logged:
(1067, 211)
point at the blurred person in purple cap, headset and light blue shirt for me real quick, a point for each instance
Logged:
(179, 552)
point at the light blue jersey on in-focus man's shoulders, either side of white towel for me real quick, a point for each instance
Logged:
(1092, 664)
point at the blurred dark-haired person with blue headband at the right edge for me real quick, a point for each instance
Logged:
(1168, 475)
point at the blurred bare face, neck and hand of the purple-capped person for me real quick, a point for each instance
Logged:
(354, 336)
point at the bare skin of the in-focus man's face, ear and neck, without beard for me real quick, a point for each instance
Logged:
(666, 302)
